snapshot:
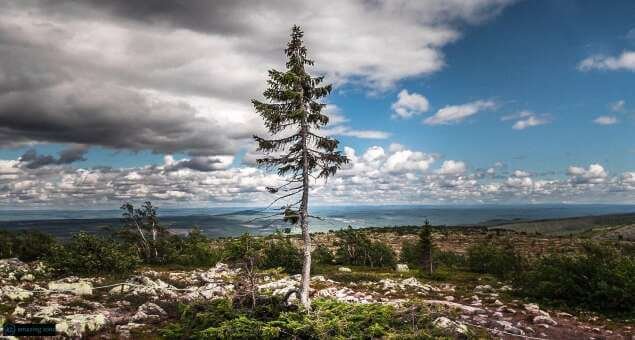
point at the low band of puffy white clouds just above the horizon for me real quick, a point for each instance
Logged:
(374, 175)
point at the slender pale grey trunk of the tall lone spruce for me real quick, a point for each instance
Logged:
(304, 224)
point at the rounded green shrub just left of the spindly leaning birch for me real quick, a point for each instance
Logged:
(87, 254)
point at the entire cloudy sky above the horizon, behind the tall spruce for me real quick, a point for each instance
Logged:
(434, 102)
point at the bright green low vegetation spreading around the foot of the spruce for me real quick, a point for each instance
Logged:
(222, 319)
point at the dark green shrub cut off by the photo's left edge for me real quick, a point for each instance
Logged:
(27, 245)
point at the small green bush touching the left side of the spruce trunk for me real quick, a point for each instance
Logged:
(279, 251)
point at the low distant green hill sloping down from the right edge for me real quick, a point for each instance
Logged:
(603, 226)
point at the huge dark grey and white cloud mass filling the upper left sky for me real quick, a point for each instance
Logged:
(178, 77)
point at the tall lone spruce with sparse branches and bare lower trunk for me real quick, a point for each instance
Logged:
(293, 114)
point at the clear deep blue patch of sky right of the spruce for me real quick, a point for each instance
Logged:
(525, 59)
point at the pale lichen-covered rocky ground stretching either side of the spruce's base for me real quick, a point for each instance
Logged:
(100, 308)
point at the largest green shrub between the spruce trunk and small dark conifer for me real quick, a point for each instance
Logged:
(355, 248)
